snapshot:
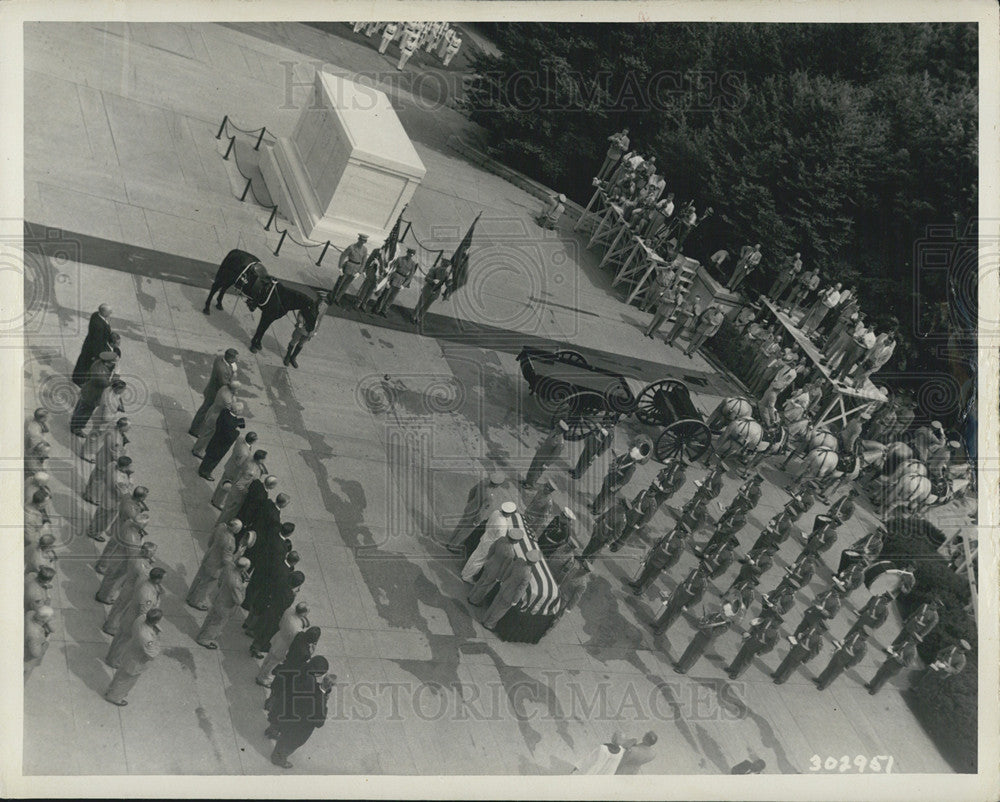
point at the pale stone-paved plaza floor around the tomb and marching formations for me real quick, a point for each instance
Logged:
(122, 165)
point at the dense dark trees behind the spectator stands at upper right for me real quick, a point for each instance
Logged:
(855, 145)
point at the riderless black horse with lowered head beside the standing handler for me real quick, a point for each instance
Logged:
(245, 271)
